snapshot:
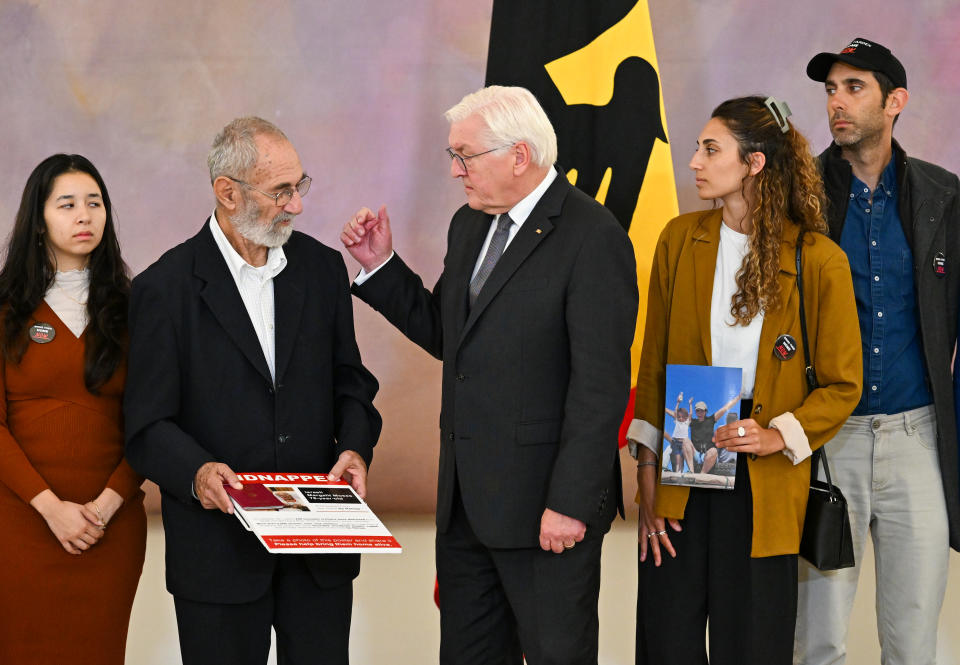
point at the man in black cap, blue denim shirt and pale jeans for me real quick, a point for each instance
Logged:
(898, 220)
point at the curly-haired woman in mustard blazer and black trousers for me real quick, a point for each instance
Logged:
(731, 556)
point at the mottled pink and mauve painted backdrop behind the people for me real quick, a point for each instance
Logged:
(360, 87)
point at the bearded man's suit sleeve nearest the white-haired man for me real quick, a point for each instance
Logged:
(357, 421)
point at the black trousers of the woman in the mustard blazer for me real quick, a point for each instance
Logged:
(751, 603)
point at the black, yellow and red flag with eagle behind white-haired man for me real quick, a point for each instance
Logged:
(593, 66)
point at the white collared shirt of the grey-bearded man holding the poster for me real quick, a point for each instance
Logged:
(256, 289)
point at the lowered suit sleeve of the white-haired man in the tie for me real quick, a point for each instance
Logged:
(601, 316)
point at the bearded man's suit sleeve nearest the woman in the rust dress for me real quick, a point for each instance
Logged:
(155, 445)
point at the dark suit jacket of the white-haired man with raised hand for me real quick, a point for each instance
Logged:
(536, 375)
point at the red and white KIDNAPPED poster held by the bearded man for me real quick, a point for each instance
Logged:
(307, 513)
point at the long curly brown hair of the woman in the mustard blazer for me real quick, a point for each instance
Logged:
(788, 187)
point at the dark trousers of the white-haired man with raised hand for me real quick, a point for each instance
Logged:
(499, 605)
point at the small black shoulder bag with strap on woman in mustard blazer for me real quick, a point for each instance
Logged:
(826, 541)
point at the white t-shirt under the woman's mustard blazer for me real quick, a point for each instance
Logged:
(732, 345)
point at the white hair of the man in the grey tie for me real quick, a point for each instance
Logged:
(511, 114)
